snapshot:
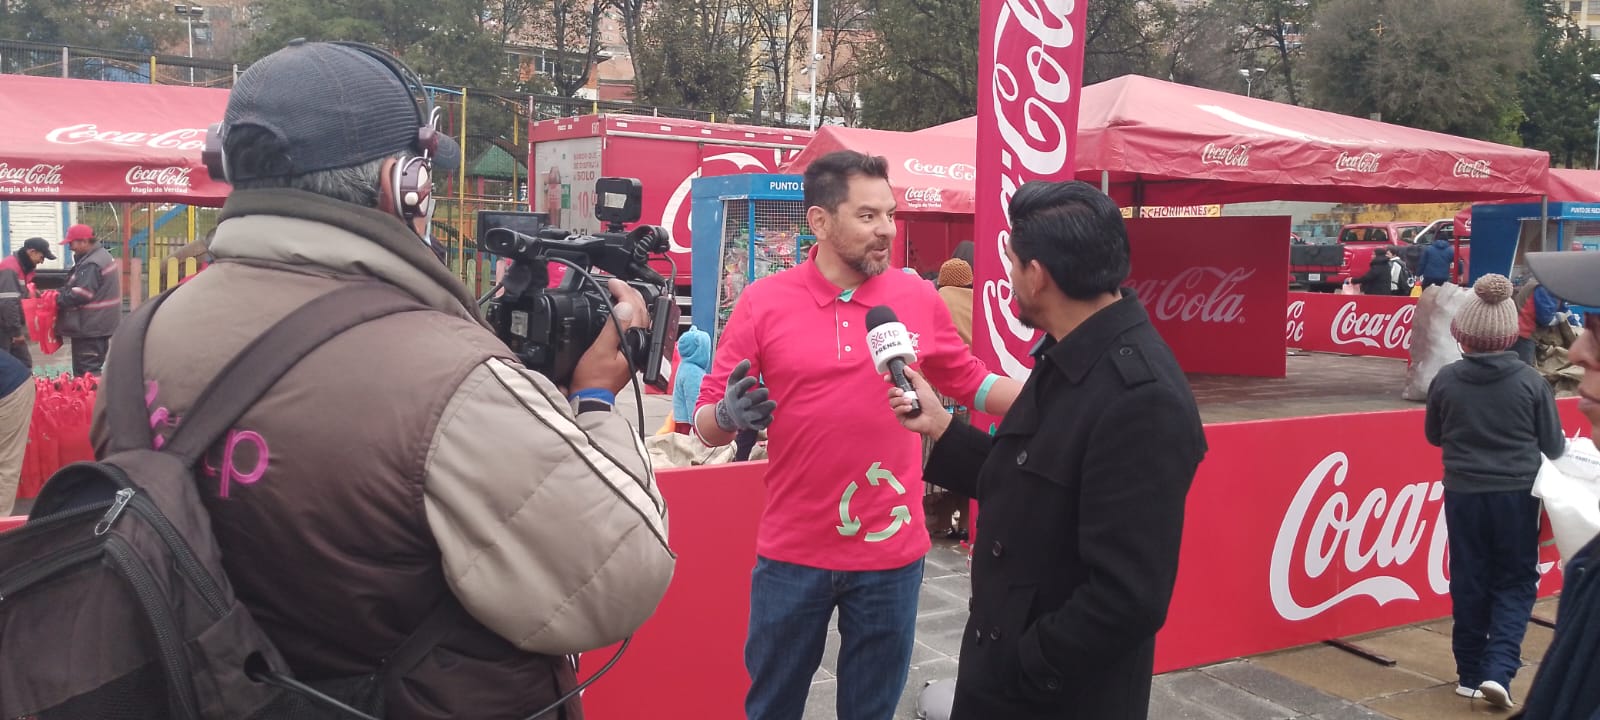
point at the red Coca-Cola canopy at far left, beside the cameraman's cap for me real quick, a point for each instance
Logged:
(90, 140)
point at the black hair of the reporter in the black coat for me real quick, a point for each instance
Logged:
(1076, 233)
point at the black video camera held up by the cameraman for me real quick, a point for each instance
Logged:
(550, 329)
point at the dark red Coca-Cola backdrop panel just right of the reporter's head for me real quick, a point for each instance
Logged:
(1214, 289)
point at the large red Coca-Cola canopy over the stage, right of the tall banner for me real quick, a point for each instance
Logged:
(1161, 143)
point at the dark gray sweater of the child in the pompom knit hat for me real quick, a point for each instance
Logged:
(1494, 415)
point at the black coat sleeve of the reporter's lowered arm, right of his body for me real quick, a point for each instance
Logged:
(1135, 481)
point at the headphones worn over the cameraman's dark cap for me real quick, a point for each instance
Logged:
(409, 191)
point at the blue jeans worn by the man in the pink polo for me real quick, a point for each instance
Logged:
(790, 612)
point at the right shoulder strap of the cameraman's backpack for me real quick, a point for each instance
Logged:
(271, 356)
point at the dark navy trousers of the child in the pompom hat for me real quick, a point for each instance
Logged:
(1494, 582)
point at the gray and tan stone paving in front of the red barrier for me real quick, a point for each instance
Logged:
(1316, 682)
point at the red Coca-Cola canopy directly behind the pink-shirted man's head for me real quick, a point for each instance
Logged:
(929, 177)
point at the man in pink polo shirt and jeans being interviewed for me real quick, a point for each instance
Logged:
(844, 521)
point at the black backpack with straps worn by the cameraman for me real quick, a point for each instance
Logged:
(113, 598)
